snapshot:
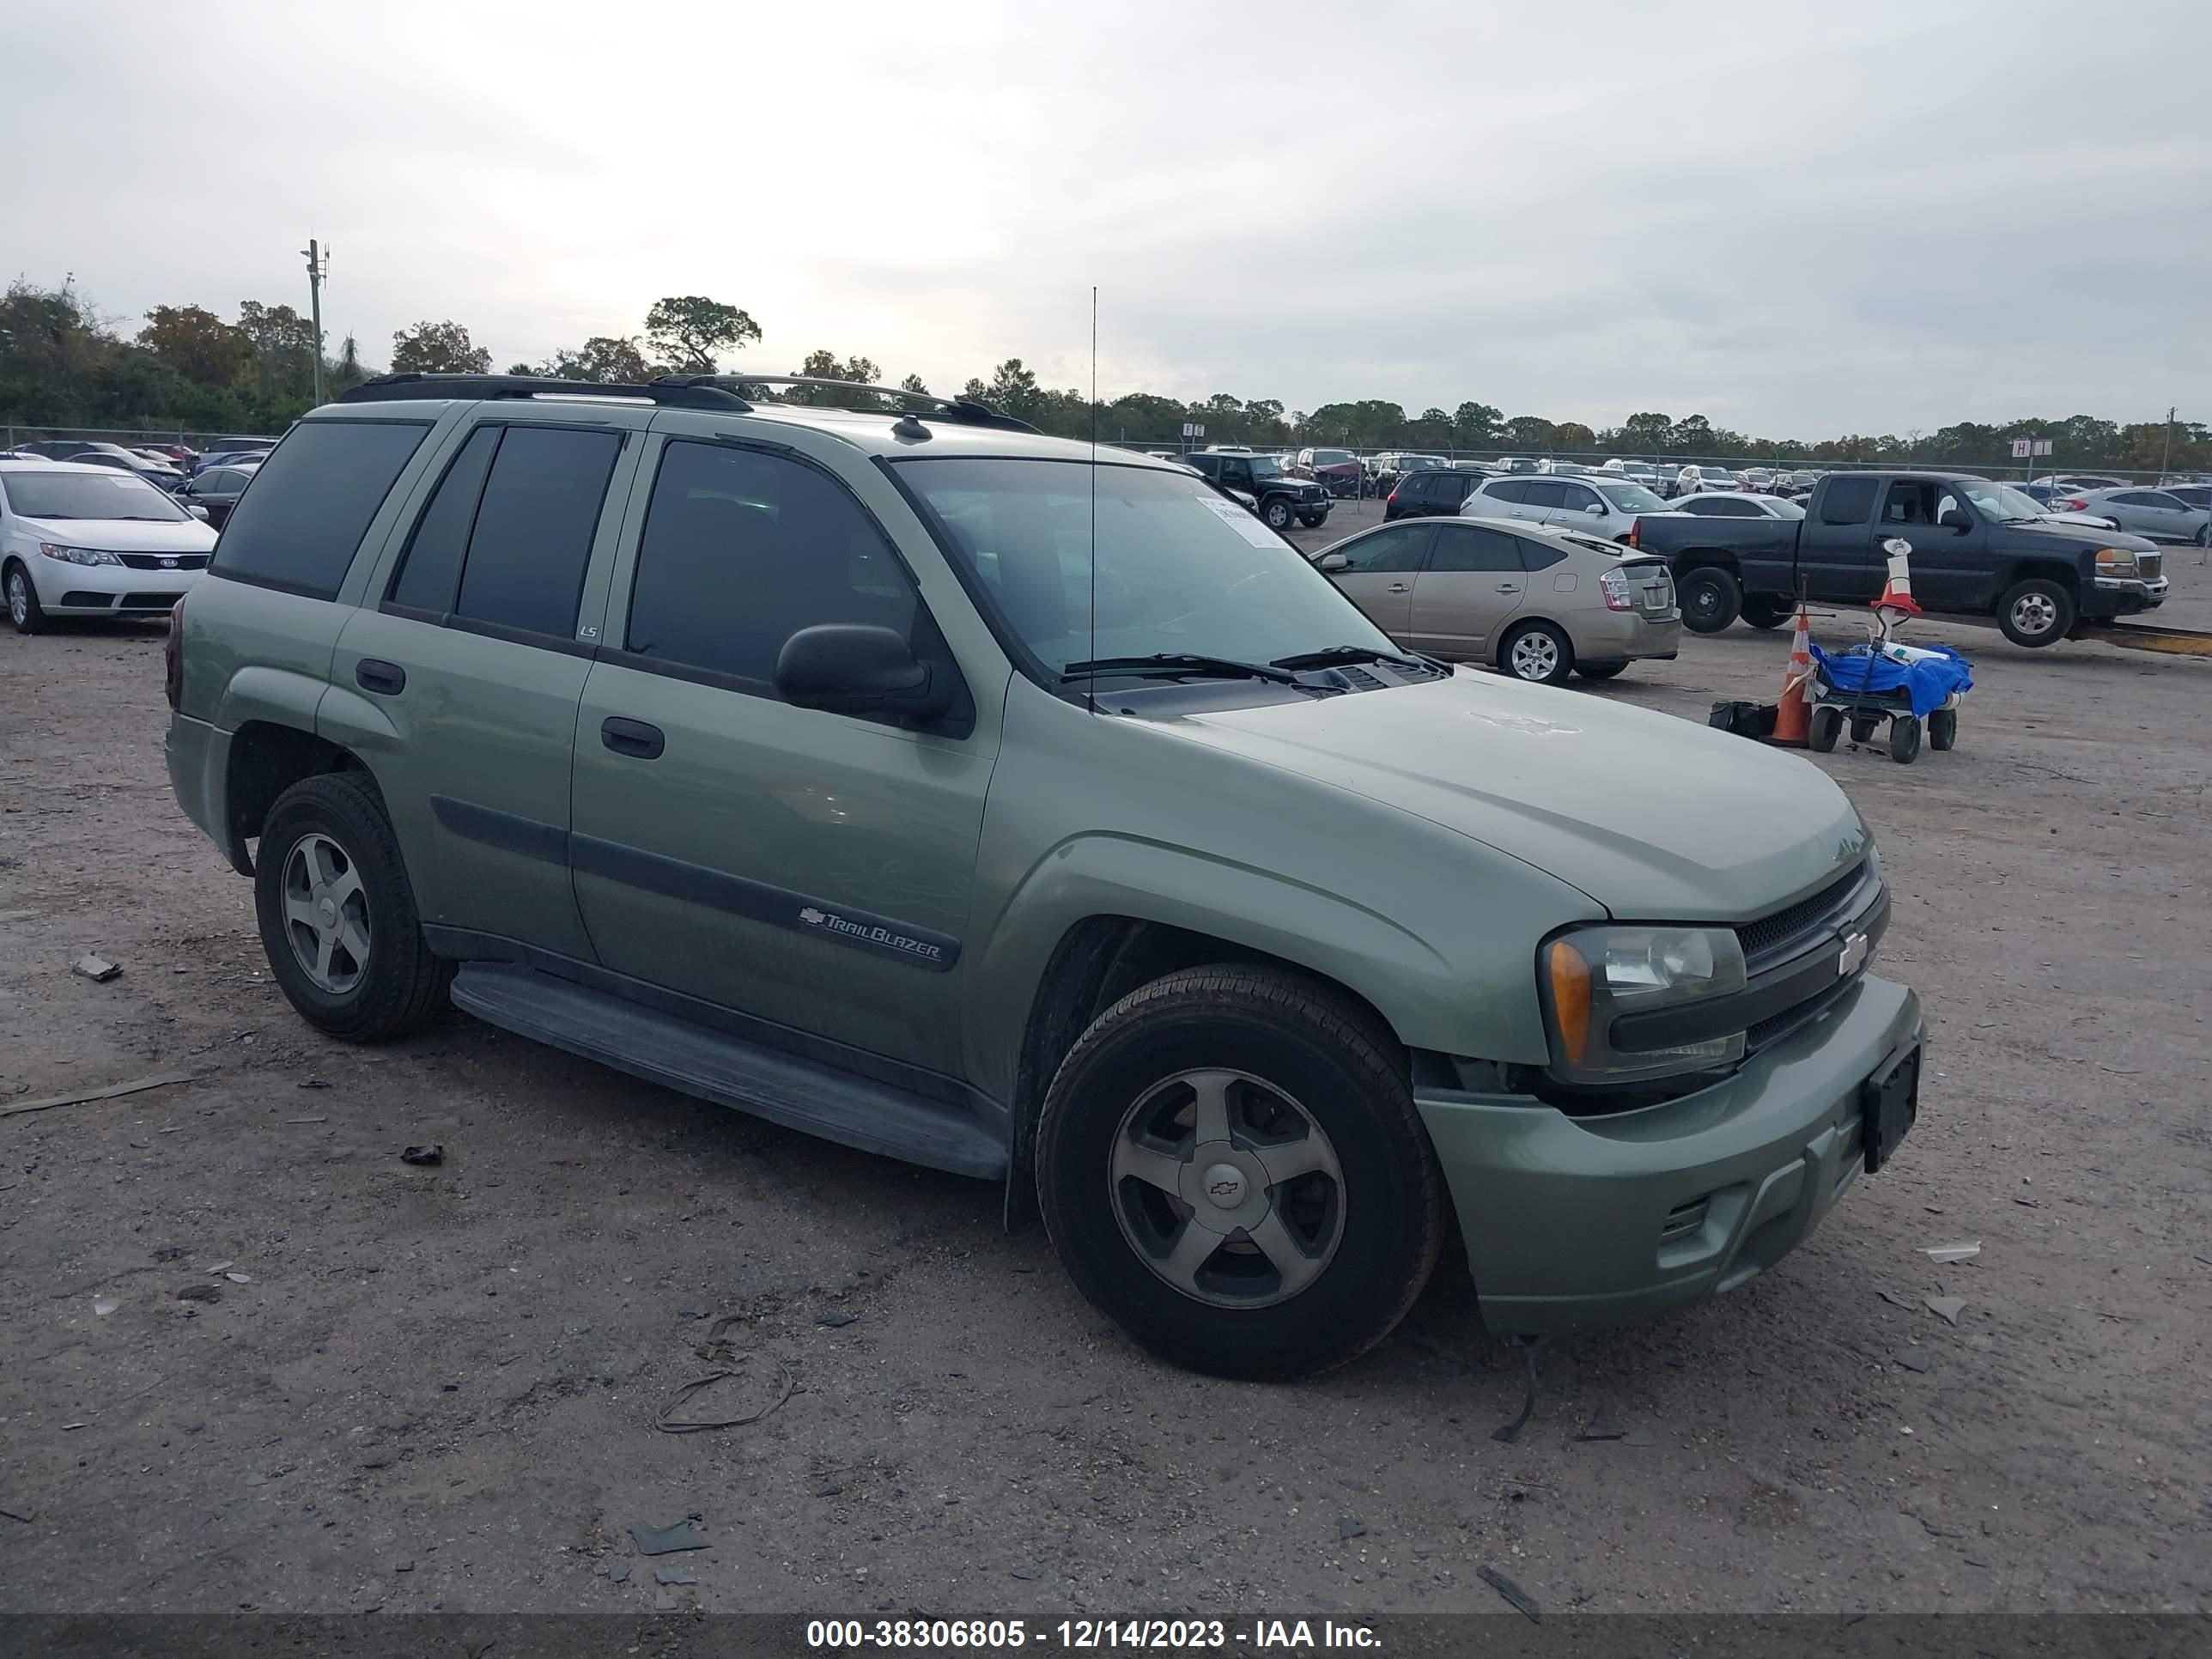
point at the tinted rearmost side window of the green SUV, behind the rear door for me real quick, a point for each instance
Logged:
(313, 501)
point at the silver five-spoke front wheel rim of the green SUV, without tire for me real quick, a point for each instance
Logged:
(1227, 1189)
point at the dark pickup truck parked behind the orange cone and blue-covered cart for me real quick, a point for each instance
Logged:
(1981, 550)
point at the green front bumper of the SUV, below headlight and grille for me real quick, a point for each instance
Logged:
(1596, 1222)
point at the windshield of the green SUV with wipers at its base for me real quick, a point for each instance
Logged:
(1178, 567)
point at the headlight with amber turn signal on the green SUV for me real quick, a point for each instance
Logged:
(1596, 977)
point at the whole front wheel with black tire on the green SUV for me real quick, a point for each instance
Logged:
(1231, 1169)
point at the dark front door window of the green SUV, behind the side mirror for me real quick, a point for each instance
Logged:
(744, 550)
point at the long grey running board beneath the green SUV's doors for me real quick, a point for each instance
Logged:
(729, 1072)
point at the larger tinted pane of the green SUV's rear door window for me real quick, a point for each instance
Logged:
(534, 528)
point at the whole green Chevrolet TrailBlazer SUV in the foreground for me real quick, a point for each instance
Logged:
(1032, 813)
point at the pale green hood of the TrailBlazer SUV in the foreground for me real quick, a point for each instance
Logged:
(1649, 815)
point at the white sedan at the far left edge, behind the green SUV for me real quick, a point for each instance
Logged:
(92, 543)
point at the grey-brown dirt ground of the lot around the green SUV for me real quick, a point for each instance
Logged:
(437, 1386)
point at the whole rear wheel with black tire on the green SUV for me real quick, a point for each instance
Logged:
(337, 915)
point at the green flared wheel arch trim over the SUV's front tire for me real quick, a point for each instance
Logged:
(1118, 875)
